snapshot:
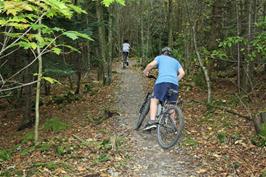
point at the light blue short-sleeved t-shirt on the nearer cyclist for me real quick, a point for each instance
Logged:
(168, 69)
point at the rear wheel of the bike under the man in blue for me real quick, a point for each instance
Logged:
(170, 127)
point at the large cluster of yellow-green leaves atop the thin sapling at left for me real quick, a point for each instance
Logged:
(25, 15)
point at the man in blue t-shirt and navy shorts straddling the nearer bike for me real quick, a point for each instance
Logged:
(170, 73)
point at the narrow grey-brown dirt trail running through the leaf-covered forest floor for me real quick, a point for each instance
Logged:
(149, 159)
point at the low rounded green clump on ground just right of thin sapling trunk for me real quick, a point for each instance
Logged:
(54, 124)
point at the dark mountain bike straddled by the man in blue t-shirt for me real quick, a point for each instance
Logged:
(170, 119)
